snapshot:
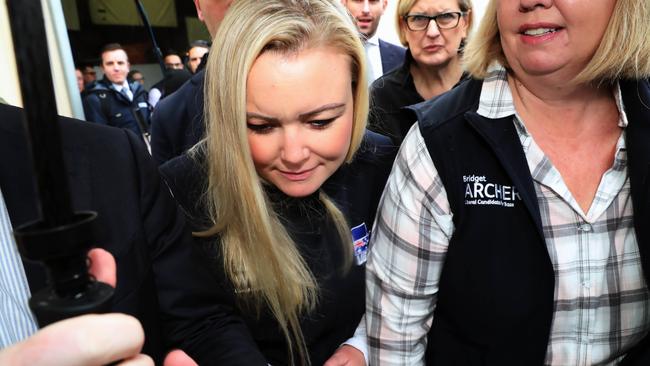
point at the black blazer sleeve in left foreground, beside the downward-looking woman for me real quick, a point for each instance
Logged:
(194, 318)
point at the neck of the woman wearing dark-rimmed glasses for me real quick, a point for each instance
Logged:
(433, 81)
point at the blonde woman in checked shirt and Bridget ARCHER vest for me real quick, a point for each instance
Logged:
(528, 186)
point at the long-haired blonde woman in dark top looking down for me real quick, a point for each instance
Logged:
(282, 191)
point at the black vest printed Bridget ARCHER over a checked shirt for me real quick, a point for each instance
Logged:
(495, 301)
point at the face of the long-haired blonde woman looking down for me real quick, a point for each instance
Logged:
(299, 136)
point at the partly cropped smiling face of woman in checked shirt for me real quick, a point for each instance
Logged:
(552, 36)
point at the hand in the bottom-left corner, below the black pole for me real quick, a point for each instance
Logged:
(88, 340)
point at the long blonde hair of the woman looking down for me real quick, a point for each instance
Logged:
(260, 258)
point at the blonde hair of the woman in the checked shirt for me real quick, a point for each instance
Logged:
(624, 51)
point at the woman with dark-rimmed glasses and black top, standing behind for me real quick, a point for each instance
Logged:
(433, 32)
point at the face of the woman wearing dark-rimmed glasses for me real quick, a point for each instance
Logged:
(433, 46)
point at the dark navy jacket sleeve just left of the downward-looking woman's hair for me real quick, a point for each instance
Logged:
(177, 120)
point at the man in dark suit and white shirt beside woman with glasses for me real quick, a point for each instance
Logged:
(382, 56)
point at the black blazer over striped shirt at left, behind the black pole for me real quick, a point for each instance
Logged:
(110, 172)
